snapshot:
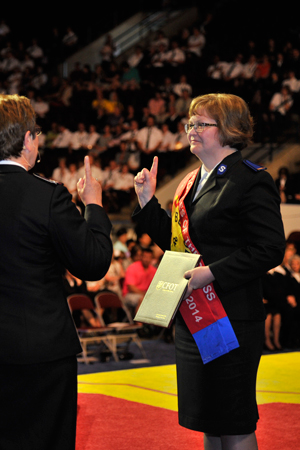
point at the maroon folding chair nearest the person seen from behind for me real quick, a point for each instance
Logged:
(88, 335)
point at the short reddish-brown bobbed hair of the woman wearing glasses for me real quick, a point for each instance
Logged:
(231, 114)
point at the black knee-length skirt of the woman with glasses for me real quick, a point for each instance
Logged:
(219, 397)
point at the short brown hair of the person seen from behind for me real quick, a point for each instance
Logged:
(17, 116)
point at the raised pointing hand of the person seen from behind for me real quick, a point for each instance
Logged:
(88, 187)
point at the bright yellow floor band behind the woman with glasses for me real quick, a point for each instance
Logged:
(278, 381)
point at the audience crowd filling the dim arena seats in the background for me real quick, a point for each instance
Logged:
(122, 112)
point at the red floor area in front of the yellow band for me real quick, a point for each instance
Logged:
(109, 423)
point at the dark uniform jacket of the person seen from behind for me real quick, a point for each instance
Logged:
(42, 233)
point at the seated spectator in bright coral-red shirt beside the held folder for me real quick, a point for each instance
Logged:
(138, 277)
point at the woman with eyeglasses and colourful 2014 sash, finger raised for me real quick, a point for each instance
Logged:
(228, 210)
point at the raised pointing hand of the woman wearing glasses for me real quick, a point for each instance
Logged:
(145, 183)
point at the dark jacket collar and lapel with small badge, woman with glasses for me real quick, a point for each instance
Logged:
(219, 172)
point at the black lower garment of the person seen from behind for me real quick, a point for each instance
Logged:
(38, 405)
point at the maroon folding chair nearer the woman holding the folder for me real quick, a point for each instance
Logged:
(125, 331)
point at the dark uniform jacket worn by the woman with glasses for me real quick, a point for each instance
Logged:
(235, 223)
